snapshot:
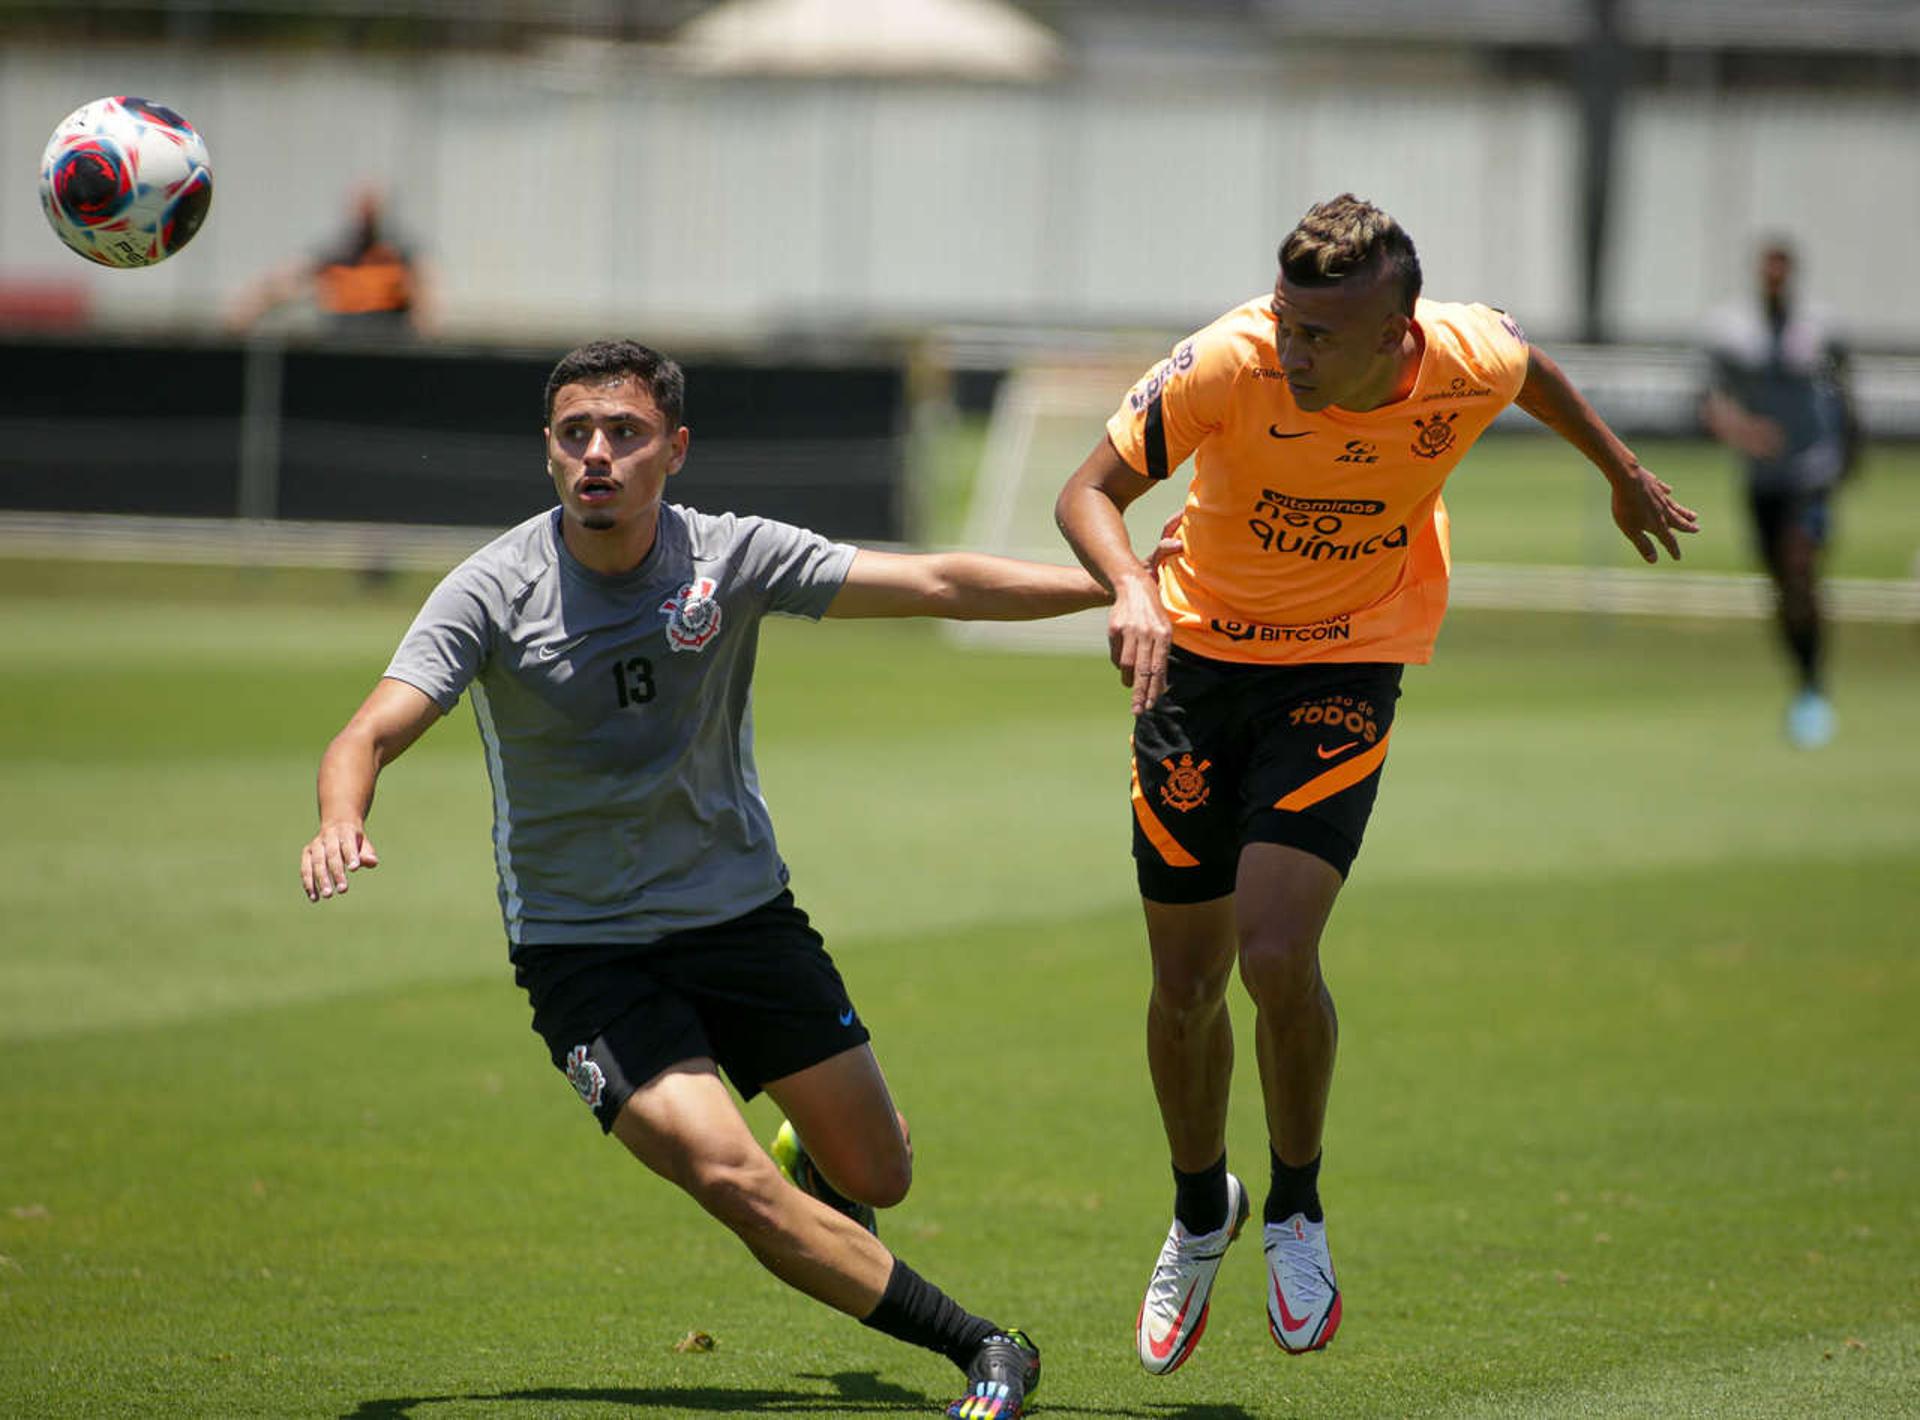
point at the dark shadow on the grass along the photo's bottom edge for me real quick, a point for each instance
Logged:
(857, 1392)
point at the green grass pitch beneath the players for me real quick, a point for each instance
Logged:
(1627, 1120)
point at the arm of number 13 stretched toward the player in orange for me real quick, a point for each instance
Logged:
(963, 586)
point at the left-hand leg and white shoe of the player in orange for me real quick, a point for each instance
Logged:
(1189, 1049)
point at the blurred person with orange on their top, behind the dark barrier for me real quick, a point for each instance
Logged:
(366, 285)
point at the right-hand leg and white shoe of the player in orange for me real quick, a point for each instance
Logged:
(1284, 899)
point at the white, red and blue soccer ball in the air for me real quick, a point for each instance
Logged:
(126, 181)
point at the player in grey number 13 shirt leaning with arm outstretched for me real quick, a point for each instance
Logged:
(608, 648)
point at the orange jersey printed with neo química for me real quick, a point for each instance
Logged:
(1314, 536)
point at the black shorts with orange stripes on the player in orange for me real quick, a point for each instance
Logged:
(1236, 755)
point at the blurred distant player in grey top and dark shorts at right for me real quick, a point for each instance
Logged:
(1779, 398)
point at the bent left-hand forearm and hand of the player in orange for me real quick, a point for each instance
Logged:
(1090, 517)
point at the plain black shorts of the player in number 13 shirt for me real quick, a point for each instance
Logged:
(759, 995)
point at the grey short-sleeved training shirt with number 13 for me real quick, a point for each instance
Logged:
(617, 717)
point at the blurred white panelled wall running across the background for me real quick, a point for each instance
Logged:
(588, 193)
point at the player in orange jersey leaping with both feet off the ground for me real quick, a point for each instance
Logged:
(1264, 667)
